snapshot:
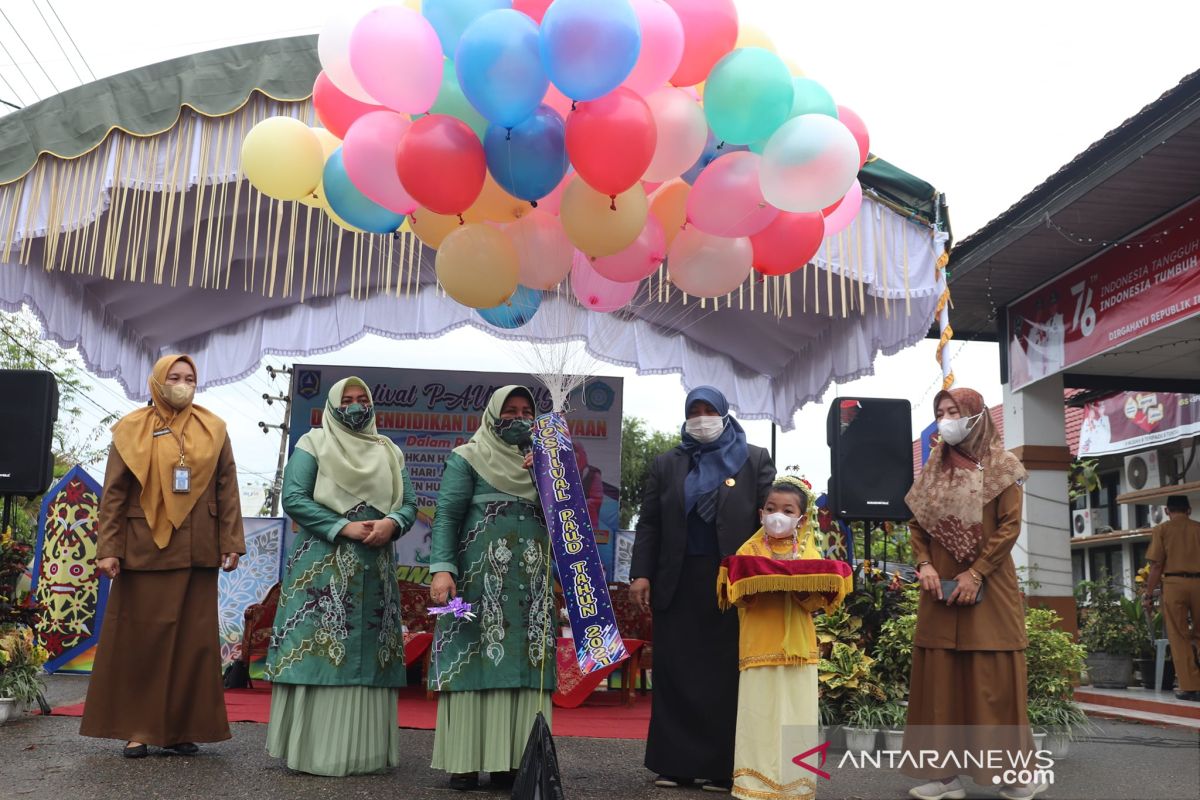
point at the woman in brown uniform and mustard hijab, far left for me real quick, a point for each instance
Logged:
(170, 518)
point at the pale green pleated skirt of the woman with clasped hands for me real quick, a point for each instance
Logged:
(334, 731)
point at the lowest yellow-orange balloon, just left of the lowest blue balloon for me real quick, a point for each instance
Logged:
(477, 266)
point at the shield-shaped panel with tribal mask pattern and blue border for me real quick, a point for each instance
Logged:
(67, 582)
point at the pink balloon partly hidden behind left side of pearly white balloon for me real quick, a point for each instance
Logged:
(727, 200)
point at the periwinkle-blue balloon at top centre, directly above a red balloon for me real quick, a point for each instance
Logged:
(590, 46)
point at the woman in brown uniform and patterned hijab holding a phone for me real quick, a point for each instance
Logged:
(968, 690)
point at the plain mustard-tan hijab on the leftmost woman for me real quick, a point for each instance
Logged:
(153, 459)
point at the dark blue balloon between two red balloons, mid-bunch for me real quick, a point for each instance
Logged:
(531, 160)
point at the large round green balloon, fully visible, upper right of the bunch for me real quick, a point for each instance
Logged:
(748, 95)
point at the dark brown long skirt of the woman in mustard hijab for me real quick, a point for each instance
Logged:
(158, 672)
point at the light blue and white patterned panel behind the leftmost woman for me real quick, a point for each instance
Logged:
(257, 572)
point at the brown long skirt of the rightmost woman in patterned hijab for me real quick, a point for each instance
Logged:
(971, 708)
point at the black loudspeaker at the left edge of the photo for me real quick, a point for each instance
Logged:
(29, 406)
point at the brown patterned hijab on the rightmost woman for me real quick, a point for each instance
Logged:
(958, 482)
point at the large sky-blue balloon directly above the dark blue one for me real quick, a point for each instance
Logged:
(500, 69)
